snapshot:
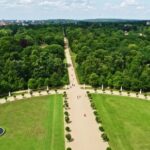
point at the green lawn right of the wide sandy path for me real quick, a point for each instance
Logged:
(125, 120)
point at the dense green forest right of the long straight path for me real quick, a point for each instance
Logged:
(112, 54)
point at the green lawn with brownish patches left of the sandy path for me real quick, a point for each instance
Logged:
(33, 124)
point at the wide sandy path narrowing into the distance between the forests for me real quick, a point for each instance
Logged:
(84, 128)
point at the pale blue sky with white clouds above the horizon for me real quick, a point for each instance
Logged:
(74, 9)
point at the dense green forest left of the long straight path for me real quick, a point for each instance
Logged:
(31, 57)
